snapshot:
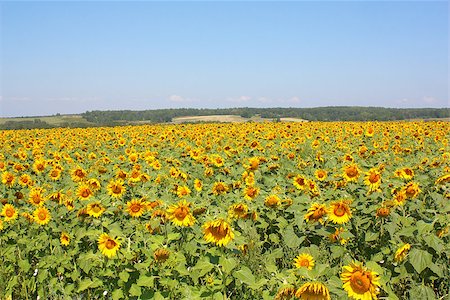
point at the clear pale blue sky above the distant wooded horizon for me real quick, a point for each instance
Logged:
(69, 57)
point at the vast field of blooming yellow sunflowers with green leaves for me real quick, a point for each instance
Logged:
(226, 211)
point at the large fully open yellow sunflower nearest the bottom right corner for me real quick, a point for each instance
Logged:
(360, 282)
